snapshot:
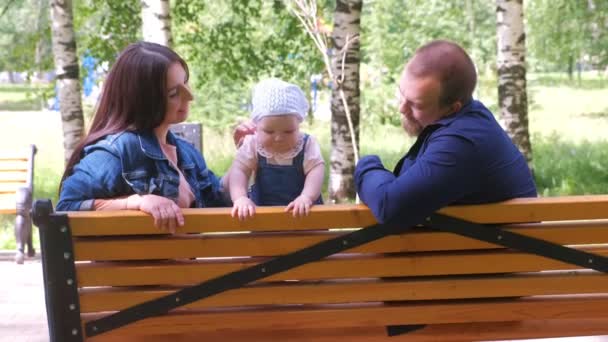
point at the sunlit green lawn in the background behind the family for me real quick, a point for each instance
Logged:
(568, 122)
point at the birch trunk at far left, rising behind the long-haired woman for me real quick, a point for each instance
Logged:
(66, 72)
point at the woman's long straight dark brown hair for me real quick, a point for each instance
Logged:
(134, 95)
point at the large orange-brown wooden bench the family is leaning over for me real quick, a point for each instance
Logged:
(425, 284)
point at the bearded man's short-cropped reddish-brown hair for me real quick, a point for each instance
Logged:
(451, 65)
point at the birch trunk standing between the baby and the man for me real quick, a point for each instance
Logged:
(347, 21)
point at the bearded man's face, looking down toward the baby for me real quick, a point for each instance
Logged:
(419, 102)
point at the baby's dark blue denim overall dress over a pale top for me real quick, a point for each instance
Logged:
(279, 184)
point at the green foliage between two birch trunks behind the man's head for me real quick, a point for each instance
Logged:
(394, 29)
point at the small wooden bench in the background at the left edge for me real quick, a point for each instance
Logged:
(16, 189)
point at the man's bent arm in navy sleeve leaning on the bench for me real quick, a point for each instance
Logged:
(444, 173)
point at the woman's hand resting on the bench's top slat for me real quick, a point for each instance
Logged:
(167, 215)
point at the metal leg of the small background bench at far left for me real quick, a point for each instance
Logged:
(23, 225)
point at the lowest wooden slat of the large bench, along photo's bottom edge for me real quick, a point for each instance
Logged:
(432, 333)
